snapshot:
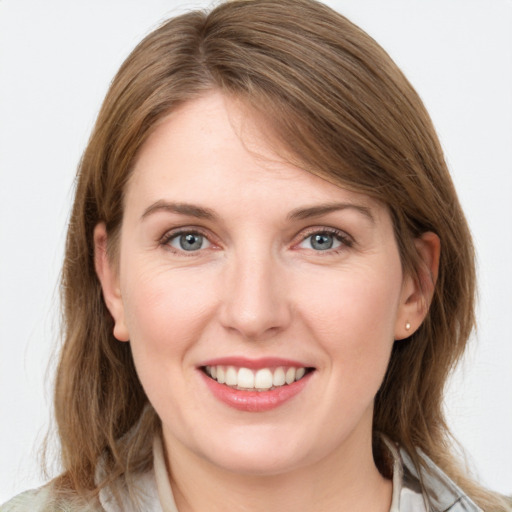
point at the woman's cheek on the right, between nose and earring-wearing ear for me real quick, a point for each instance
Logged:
(354, 319)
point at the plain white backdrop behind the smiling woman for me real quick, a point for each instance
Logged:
(56, 60)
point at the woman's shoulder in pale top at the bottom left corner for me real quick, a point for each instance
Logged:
(43, 500)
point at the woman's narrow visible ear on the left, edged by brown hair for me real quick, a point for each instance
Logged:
(109, 279)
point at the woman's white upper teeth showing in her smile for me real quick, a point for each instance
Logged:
(263, 379)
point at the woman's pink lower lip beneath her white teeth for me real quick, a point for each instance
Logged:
(255, 401)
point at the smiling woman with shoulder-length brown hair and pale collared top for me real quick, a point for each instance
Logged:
(268, 277)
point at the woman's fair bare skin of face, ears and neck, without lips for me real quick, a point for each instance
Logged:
(258, 288)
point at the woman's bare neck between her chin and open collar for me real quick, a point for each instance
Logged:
(346, 479)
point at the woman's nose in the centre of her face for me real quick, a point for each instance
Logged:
(255, 301)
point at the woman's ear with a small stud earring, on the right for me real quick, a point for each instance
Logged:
(417, 291)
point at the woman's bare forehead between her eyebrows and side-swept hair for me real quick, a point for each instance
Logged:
(213, 152)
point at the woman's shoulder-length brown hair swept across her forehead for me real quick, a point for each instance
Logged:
(339, 106)
